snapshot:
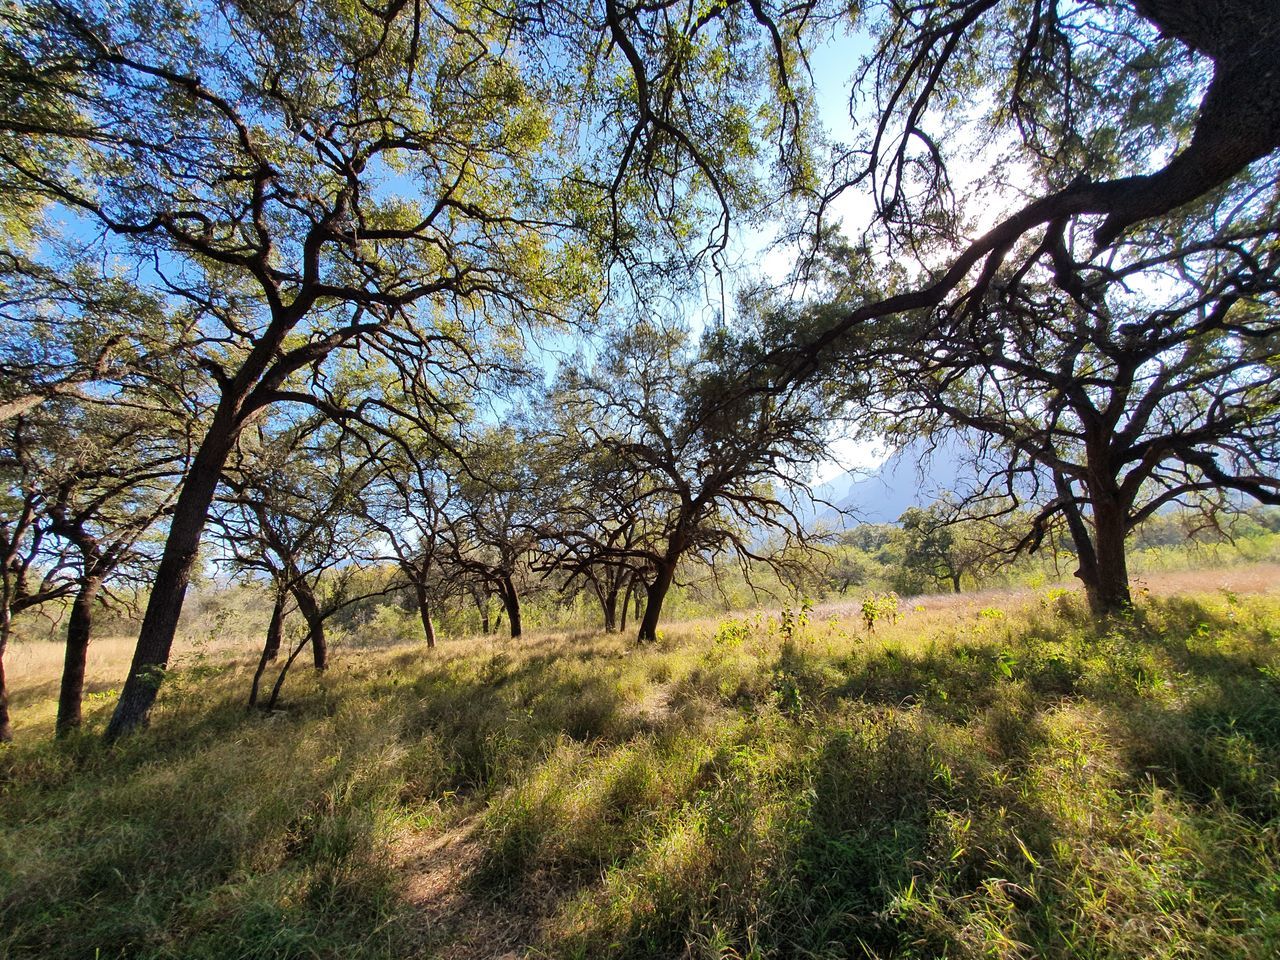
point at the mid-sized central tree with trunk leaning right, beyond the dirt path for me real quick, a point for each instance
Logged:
(710, 477)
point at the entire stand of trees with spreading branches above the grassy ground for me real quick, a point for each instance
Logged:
(272, 268)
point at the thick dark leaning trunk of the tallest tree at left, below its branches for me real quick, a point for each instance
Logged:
(170, 587)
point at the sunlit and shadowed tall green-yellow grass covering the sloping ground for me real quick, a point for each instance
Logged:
(991, 776)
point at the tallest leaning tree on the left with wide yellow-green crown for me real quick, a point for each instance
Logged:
(331, 177)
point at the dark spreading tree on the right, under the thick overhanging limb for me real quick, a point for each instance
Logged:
(1154, 385)
